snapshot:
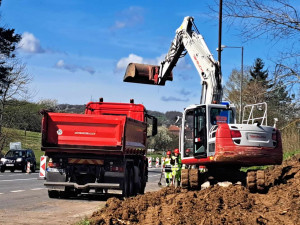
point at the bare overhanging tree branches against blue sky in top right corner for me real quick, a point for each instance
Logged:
(276, 20)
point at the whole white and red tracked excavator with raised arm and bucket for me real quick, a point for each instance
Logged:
(210, 137)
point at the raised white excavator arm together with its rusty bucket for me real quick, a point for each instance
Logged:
(192, 41)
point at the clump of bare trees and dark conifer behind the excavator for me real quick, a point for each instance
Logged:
(257, 88)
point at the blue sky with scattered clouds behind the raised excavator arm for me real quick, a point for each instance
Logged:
(77, 51)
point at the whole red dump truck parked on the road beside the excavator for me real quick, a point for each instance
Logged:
(102, 149)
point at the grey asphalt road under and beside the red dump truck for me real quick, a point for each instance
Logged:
(24, 200)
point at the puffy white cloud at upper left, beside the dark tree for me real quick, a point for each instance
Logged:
(29, 43)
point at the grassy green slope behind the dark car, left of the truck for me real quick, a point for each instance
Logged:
(28, 139)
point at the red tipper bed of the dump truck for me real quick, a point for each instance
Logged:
(101, 134)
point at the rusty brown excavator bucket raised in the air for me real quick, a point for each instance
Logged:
(144, 74)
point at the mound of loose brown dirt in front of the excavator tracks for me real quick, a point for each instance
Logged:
(214, 205)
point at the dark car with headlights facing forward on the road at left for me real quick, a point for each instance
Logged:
(17, 160)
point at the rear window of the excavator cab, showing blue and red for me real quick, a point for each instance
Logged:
(219, 116)
